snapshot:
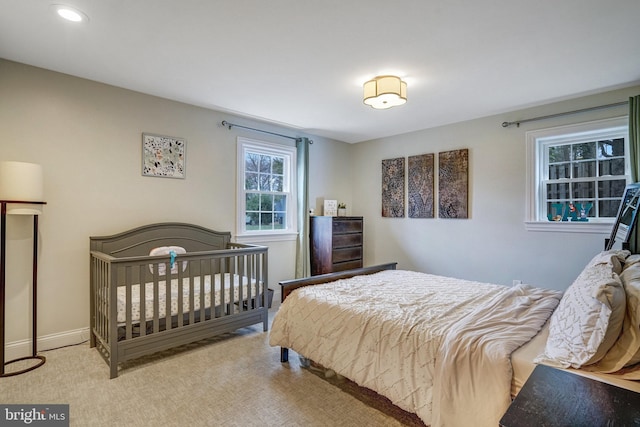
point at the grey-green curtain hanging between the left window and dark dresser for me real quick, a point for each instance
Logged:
(302, 247)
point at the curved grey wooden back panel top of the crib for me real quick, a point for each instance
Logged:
(139, 241)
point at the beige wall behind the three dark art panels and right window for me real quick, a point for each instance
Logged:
(492, 245)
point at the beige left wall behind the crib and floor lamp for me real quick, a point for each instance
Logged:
(87, 136)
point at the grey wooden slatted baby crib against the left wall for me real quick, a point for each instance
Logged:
(163, 285)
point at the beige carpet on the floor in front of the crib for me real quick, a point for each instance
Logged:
(234, 380)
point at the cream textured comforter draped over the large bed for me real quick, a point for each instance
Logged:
(436, 346)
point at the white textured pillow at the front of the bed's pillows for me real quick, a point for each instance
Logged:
(589, 316)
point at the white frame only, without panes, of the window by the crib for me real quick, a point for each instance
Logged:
(289, 232)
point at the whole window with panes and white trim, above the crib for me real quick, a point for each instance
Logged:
(266, 188)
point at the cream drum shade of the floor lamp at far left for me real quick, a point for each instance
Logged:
(20, 181)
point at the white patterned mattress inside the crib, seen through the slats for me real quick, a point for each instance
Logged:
(230, 282)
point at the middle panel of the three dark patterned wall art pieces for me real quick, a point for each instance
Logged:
(420, 186)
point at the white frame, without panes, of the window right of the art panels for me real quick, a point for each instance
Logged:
(536, 219)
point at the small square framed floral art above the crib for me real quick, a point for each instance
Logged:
(163, 156)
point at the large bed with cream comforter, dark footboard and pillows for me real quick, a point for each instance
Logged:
(453, 351)
